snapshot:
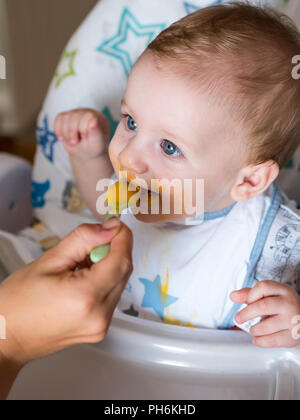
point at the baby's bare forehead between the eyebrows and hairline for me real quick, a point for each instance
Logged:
(165, 102)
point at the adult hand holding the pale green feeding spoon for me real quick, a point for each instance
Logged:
(61, 300)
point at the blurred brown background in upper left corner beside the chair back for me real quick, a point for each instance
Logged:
(33, 34)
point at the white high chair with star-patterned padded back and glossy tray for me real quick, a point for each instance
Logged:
(139, 359)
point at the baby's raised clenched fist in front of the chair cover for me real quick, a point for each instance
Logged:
(84, 132)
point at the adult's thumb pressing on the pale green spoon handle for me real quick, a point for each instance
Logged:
(77, 246)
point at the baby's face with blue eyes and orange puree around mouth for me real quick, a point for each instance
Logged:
(170, 130)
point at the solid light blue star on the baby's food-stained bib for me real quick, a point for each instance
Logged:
(153, 297)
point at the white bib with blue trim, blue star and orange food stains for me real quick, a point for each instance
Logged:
(184, 275)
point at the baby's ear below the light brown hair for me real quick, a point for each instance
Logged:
(254, 180)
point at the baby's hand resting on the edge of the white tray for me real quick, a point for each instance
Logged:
(279, 306)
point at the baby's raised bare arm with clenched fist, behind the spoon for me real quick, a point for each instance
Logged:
(85, 134)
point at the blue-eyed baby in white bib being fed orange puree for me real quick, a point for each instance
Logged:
(211, 98)
